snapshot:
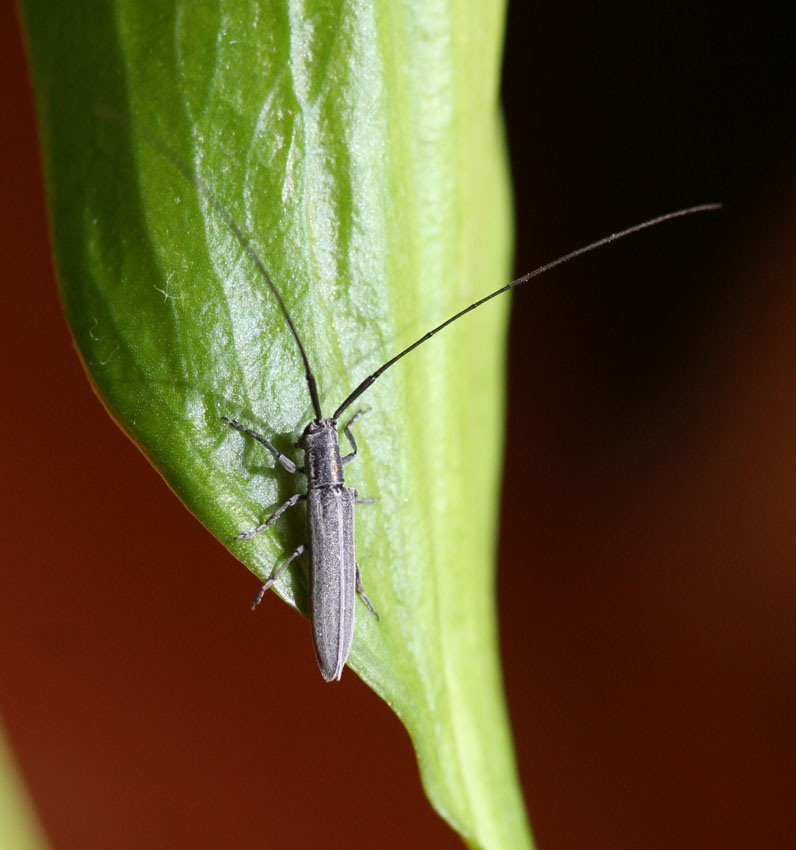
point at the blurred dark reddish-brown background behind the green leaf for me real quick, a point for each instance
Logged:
(648, 553)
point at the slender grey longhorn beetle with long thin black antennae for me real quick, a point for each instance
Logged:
(334, 572)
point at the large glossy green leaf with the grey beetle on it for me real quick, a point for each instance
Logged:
(359, 145)
